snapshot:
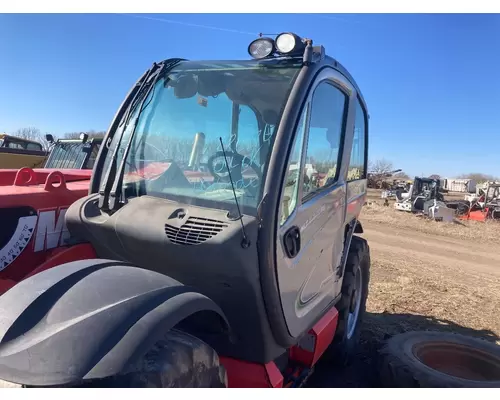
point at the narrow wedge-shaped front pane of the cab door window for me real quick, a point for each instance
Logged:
(291, 186)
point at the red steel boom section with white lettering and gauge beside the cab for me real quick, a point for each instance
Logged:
(48, 193)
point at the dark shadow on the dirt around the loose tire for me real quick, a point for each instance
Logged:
(362, 371)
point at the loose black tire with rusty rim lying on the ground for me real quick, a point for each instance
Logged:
(439, 360)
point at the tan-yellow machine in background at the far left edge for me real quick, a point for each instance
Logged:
(17, 152)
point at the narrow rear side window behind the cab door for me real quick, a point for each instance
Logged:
(357, 164)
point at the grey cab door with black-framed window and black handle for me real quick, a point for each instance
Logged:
(313, 203)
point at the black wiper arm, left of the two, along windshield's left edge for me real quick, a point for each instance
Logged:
(111, 172)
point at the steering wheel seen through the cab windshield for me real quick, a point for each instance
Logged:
(218, 169)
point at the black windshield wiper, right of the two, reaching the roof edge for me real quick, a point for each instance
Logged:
(116, 193)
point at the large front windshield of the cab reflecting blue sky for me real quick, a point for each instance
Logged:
(176, 150)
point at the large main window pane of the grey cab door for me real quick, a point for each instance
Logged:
(325, 134)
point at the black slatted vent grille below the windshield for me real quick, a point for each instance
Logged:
(194, 231)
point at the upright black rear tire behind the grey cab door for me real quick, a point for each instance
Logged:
(345, 343)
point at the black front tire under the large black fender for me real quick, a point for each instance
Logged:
(180, 360)
